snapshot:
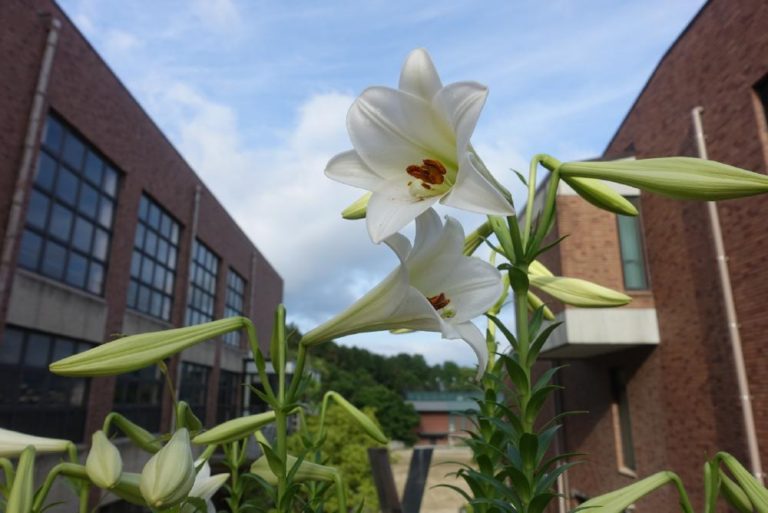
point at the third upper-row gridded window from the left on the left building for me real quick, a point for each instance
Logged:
(202, 284)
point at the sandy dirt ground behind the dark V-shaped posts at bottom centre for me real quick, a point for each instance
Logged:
(436, 500)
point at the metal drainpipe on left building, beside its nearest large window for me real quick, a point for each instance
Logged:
(28, 157)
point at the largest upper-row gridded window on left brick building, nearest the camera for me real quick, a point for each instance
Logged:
(71, 208)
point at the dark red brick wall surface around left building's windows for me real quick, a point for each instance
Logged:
(86, 93)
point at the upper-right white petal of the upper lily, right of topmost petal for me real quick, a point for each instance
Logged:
(460, 105)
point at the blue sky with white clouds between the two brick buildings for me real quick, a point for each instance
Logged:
(254, 95)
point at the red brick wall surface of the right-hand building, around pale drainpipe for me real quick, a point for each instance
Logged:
(683, 395)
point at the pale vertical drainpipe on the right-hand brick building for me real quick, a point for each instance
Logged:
(730, 311)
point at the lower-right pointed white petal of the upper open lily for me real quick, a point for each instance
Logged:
(474, 193)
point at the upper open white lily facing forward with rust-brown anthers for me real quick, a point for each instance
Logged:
(411, 149)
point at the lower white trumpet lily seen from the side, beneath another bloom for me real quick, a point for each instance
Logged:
(435, 288)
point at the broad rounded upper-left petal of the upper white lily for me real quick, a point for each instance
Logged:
(392, 130)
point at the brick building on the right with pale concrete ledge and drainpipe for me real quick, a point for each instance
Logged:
(659, 376)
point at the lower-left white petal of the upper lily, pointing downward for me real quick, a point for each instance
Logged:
(383, 220)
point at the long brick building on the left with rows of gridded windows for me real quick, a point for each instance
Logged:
(105, 230)
